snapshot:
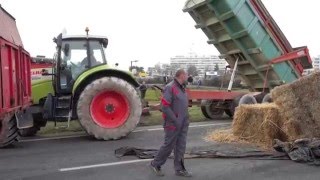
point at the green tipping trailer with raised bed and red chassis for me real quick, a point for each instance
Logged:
(249, 39)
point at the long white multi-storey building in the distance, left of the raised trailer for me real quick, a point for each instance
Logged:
(202, 63)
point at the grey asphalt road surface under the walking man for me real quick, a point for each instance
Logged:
(85, 158)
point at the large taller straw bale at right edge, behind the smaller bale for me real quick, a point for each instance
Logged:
(299, 103)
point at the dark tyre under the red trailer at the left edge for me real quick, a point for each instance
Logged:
(8, 130)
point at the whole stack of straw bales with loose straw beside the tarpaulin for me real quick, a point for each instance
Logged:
(294, 114)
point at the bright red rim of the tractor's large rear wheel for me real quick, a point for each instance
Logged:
(109, 109)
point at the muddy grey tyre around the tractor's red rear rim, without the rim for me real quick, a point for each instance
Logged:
(116, 84)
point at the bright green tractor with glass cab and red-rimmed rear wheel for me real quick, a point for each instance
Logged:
(84, 87)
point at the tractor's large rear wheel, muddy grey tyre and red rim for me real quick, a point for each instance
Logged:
(109, 108)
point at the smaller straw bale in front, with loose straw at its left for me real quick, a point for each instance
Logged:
(258, 123)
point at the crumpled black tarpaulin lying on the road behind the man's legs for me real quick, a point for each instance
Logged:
(302, 151)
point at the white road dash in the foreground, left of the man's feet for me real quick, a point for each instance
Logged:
(104, 165)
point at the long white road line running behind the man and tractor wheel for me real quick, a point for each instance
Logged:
(135, 131)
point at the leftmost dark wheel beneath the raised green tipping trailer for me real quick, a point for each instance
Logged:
(209, 109)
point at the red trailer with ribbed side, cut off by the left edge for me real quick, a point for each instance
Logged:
(15, 81)
